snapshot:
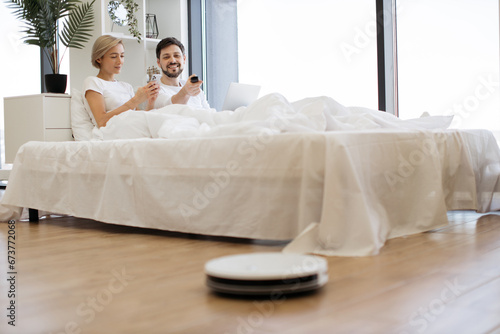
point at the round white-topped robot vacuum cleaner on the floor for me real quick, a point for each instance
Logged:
(266, 273)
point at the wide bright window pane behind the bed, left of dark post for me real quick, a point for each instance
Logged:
(309, 48)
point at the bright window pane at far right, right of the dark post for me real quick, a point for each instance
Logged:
(448, 61)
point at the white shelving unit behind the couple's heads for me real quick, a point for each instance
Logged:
(172, 20)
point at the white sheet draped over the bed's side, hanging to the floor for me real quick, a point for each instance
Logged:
(361, 188)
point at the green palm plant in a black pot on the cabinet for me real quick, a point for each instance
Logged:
(43, 20)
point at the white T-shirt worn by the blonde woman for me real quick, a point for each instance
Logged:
(115, 93)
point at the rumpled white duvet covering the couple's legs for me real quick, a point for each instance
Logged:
(271, 114)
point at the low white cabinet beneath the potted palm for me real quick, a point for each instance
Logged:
(41, 117)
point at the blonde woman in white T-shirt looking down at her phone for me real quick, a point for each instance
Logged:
(106, 96)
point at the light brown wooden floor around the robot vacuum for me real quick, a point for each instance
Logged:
(80, 276)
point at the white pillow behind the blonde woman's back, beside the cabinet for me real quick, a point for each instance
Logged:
(81, 119)
